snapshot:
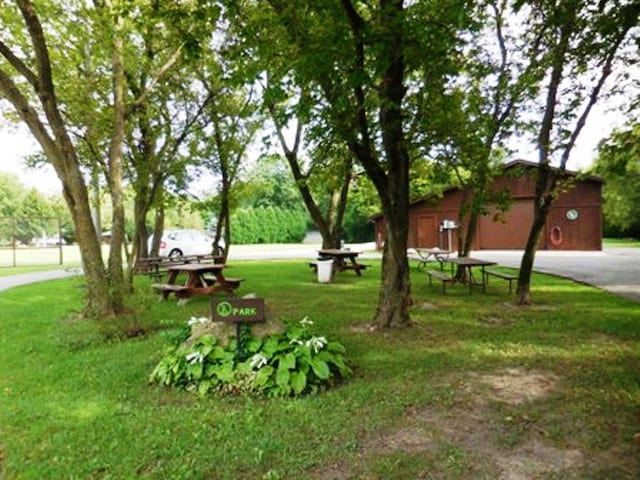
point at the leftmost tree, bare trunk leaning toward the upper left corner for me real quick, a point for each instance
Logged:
(27, 82)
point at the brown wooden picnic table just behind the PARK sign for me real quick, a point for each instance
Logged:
(202, 279)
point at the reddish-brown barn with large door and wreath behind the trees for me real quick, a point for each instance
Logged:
(574, 222)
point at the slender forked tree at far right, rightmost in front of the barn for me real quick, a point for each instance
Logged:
(583, 45)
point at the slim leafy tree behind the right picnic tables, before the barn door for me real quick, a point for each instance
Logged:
(479, 111)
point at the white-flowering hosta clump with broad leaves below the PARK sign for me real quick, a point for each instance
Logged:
(296, 362)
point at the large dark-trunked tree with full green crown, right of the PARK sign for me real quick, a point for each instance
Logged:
(361, 61)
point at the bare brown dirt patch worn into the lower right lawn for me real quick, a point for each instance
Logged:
(472, 426)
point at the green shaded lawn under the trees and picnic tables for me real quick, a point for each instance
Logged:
(475, 389)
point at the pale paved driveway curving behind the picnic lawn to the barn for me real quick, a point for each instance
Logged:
(615, 269)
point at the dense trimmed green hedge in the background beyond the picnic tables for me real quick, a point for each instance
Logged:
(268, 225)
